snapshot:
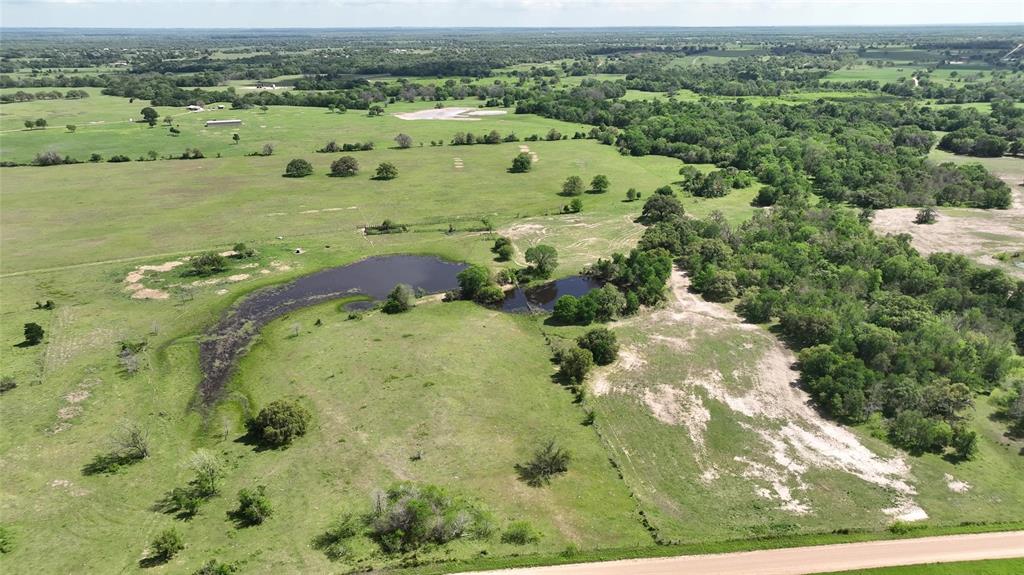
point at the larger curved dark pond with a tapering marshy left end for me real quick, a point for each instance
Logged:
(374, 278)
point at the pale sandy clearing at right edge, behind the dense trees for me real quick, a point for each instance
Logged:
(975, 234)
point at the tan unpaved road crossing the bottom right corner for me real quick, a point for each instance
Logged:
(801, 561)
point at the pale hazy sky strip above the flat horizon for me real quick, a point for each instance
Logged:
(376, 14)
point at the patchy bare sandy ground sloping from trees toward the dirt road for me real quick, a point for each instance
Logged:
(794, 437)
